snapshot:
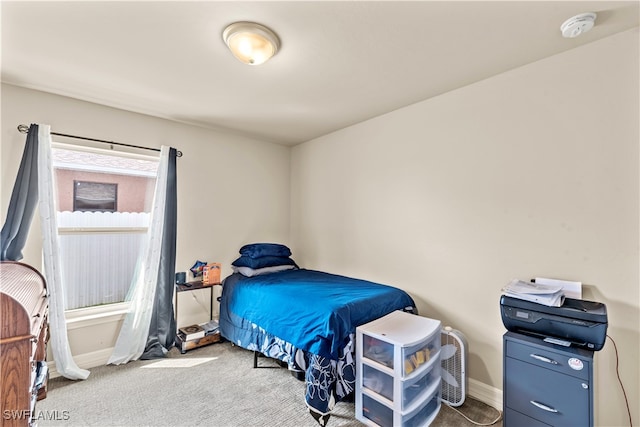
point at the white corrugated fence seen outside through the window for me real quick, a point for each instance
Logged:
(99, 252)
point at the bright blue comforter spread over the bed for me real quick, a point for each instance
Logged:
(312, 310)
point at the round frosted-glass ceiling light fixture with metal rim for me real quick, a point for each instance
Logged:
(251, 43)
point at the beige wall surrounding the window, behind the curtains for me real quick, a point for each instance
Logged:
(231, 190)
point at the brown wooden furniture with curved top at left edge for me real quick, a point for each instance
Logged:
(23, 342)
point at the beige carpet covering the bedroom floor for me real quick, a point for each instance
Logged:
(211, 386)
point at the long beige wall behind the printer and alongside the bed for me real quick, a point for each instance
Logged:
(530, 173)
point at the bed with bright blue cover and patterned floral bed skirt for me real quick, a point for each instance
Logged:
(306, 319)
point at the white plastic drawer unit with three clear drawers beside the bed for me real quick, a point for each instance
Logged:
(398, 370)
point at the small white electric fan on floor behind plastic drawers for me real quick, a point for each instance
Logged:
(454, 366)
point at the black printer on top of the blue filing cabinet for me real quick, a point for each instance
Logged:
(577, 323)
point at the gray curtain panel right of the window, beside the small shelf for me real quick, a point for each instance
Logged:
(162, 330)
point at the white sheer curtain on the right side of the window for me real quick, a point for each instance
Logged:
(135, 328)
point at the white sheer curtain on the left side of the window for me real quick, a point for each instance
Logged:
(65, 364)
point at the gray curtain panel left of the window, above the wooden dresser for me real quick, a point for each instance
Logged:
(23, 202)
